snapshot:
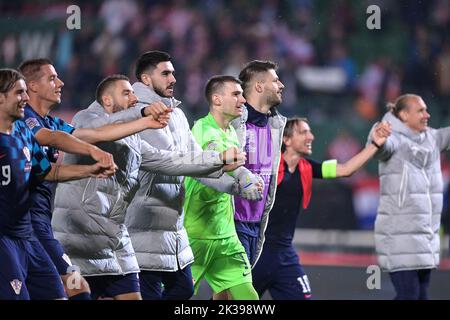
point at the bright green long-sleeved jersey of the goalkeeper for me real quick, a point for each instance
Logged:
(209, 214)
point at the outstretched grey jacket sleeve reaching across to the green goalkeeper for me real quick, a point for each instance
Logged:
(176, 163)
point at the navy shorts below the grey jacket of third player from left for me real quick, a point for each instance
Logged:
(113, 285)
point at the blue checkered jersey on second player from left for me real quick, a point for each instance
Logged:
(41, 210)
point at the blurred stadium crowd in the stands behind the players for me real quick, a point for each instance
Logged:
(337, 72)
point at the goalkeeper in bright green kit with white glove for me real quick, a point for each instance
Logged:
(219, 256)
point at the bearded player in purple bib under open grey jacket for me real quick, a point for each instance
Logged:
(260, 132)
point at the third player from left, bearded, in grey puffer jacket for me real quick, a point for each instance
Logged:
(89, 215)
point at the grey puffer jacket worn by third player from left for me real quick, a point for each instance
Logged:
(89, 214)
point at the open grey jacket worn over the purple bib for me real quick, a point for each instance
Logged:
(277, 123)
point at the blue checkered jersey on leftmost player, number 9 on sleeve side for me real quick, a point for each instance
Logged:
(21, 161)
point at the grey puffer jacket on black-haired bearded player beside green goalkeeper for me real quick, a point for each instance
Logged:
(155, 217)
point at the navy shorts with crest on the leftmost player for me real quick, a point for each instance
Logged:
(27, 272)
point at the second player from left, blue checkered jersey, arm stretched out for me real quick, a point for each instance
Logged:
(54, 134)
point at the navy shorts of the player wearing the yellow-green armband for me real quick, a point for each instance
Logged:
(279, 271)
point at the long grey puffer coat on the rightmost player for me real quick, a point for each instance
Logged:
(408, 220)
